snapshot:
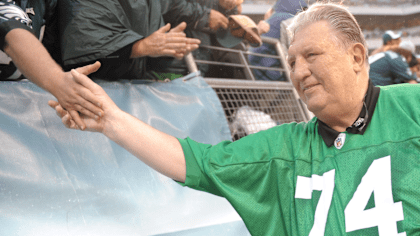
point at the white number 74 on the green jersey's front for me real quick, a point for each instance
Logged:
(377, 180)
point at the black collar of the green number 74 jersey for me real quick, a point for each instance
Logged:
(359, 126)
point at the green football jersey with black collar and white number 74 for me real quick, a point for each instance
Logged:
(287, 181)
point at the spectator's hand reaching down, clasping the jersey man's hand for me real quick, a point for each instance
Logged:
(76, 98)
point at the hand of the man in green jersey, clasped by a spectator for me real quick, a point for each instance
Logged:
(96, 124)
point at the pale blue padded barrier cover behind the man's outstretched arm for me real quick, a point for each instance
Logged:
(55, 181)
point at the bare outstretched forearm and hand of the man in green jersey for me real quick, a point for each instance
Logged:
(158, 150)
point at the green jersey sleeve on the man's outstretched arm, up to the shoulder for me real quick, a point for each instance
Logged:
(233, 165)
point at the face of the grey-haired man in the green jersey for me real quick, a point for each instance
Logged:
(321, 71)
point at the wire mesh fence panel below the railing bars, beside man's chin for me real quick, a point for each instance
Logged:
(251, 106)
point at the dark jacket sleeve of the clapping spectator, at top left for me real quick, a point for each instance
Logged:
(95, 29)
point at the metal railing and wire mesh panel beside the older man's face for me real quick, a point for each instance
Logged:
(252, 105)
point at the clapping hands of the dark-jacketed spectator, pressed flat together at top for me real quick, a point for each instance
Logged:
(165, 42)
